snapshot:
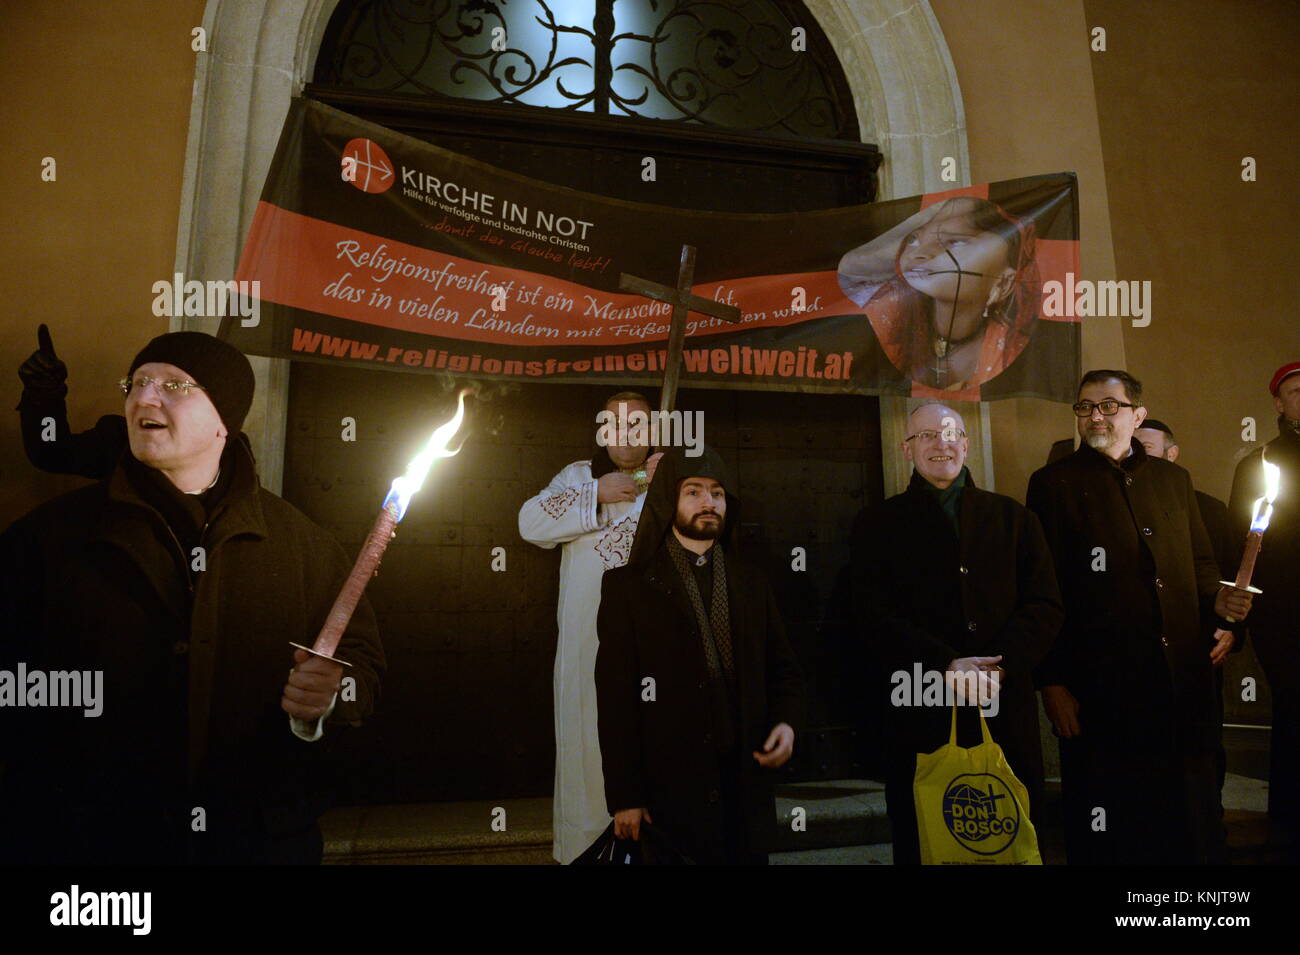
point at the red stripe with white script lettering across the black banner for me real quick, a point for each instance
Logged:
(319, 267)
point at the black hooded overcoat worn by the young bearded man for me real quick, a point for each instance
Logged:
(660, 754)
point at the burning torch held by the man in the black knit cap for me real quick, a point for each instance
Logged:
(384, 531)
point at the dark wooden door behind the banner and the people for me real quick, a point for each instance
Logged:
(467, 711)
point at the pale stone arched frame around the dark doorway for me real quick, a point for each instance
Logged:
(262, 53)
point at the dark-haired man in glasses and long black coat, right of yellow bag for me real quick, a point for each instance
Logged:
(1129, 685)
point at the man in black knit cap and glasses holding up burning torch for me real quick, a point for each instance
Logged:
(175, 587)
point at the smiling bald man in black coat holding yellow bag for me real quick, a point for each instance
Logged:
(950, 579)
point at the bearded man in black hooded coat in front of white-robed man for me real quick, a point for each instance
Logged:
(700, 696)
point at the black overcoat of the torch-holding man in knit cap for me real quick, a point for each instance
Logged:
(193, 679)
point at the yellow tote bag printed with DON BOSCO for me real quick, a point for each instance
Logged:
(970, 808)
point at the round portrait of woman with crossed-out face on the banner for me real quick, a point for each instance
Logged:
(951, 293)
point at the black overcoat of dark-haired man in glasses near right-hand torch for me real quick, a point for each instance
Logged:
(1137, 572)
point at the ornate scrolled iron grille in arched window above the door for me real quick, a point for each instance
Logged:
(727, 64)
